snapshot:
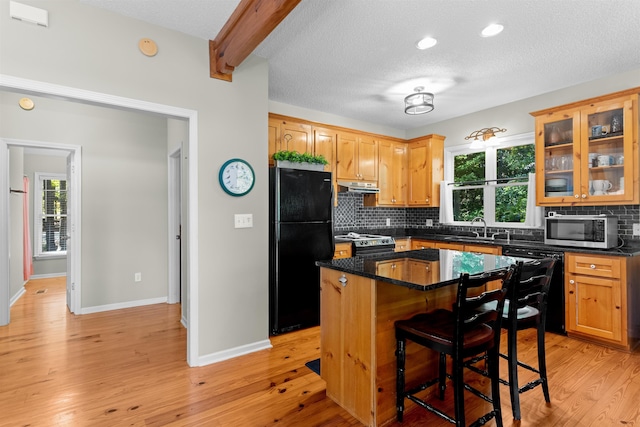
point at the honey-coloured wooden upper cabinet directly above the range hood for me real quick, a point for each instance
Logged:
(356, 157)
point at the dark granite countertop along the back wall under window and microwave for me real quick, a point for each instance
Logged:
(628, 249)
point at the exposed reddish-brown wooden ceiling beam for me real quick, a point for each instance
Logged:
(250, 23)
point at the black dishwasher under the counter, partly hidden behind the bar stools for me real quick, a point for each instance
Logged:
(555, 304)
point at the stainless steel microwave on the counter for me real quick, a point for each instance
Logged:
(585, 231)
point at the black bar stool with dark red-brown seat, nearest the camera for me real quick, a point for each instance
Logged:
(466, 331)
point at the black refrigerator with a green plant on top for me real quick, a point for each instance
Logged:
(300, 233)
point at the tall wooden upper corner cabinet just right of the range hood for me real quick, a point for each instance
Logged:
(392, 175)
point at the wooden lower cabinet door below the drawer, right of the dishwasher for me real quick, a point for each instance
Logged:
(595, 306)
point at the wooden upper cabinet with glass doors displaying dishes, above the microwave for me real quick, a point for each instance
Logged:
(587, 152)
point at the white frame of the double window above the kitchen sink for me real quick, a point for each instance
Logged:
(490, 174)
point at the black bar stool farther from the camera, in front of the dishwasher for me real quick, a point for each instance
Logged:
(525, 308)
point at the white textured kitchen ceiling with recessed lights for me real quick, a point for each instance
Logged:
(357, 59)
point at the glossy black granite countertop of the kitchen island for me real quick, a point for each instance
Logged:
(450, 264)
